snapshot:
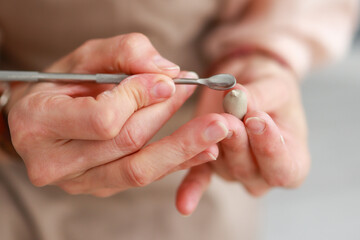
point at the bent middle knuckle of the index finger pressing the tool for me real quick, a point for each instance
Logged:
(104, 123)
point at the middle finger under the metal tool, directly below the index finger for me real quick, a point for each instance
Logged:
(136, 132)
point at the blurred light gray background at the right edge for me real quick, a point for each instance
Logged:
(327, 206)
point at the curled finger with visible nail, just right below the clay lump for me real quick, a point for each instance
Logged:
(270, 151)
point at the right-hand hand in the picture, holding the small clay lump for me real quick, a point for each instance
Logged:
(269, 148)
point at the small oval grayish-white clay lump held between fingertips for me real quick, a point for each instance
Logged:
(235, 103)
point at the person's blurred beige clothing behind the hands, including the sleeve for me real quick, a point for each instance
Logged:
(191, 33)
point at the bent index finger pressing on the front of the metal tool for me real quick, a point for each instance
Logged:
(103, 117)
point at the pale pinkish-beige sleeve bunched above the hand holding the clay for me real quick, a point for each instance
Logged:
(302, 33)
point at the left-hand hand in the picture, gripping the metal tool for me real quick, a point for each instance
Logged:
(89, 138)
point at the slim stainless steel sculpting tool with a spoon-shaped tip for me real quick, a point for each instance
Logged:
(218, 82)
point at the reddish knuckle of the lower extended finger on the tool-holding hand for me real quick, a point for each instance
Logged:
(136, 175)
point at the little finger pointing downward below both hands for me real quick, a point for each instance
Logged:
(192, 188)
